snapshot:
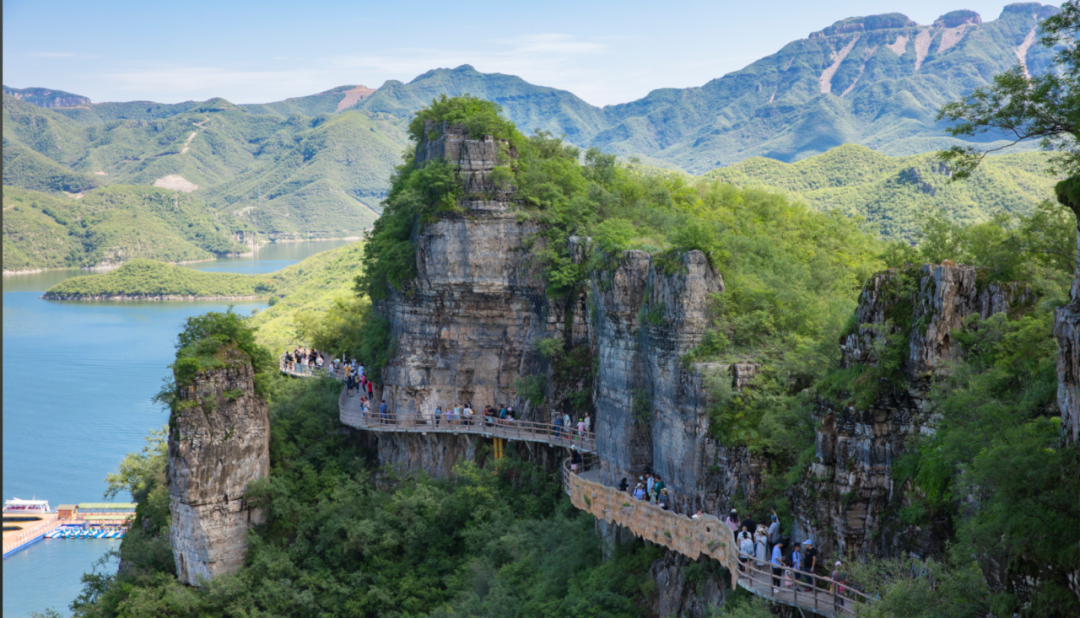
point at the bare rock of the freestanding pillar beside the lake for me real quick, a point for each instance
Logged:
(219, 442)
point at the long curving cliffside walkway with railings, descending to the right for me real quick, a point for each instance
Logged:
(706, 536)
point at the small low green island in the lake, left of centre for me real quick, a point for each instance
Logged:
(150, 280)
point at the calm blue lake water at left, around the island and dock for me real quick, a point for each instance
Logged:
(78, 383)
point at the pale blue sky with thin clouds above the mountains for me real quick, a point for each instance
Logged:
(256, 52)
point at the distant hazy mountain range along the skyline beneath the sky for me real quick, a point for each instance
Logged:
(321, 164)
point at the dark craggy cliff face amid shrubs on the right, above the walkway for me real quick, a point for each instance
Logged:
(849, 496)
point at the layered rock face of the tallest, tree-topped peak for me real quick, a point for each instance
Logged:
(465, 331)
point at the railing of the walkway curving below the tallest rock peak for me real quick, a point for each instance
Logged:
(524, 431)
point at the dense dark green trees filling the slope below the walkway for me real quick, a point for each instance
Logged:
(341, 542)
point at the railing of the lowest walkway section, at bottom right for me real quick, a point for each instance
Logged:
(823, 594)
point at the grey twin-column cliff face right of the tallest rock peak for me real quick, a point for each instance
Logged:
(651, 406)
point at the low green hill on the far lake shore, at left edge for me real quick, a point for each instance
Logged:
(111, 225)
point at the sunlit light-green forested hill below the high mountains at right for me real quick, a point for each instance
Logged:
(894, 193)
